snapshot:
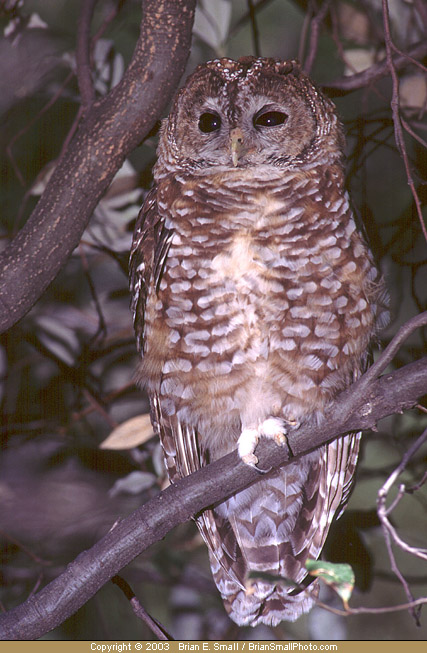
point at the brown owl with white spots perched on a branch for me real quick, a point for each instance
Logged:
(255, 299)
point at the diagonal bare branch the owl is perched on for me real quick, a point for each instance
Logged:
(359, 407)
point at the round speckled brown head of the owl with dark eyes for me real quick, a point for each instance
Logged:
(250, 112)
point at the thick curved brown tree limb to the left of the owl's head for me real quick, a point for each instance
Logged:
(112, 128)
